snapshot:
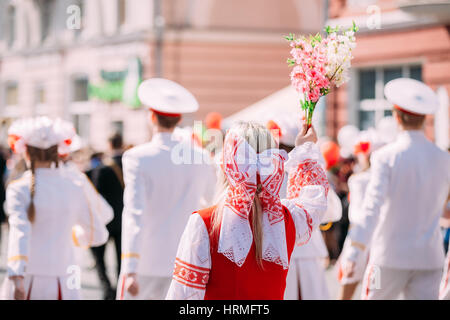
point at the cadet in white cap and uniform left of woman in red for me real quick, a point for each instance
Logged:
(165, 181)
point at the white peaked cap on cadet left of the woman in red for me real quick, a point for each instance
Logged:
(166, 96)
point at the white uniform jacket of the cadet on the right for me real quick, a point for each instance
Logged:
(409, 184)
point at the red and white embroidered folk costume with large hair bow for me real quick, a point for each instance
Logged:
(224, 266)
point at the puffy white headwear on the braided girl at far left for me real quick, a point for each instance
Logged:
(35, 132)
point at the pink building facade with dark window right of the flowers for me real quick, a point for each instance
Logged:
(396, 39)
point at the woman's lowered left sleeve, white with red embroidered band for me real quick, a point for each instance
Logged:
(192, 263)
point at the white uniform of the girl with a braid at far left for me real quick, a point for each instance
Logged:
(43, 251)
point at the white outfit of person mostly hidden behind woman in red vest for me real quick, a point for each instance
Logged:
(306, 276)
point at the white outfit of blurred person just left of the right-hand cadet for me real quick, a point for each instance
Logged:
(357, 185)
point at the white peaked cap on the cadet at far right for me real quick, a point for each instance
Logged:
(411, 95)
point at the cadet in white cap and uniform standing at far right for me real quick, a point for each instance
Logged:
(409, 184)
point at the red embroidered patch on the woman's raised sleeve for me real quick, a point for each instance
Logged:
(308, 172)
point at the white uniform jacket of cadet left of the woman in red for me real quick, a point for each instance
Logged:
(161, 191)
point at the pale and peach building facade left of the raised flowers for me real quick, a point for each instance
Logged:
(230, 54)
